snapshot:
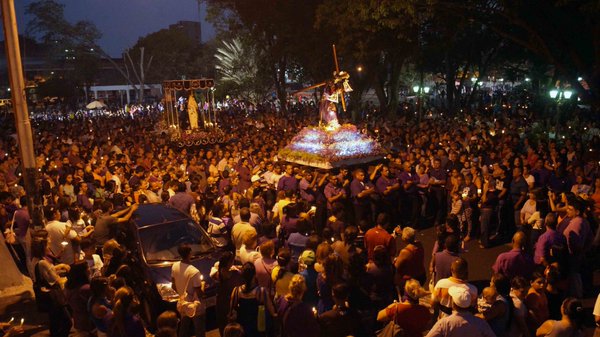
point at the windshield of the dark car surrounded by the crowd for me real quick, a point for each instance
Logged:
(160, 242)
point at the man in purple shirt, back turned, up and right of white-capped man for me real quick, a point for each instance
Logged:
(515, 262)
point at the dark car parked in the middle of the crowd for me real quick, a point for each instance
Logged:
(151, 238)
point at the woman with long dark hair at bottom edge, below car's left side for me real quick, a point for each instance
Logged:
(124, 322)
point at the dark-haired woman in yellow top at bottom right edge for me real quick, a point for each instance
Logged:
(571, 323)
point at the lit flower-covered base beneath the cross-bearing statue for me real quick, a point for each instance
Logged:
(328, 147)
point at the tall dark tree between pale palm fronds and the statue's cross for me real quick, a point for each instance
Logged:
(283, 31)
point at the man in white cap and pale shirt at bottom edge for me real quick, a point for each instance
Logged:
(462, 322)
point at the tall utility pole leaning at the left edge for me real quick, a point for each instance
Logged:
(17, 84)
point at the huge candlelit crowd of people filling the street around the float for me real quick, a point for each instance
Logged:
(311, 252)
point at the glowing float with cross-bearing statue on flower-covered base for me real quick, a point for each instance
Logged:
(331, 145)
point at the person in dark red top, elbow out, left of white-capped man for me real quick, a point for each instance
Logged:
(412, 317)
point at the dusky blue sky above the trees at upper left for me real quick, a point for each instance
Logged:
(122, 22)
